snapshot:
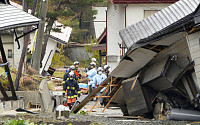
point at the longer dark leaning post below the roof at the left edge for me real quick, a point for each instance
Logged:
(7, 70)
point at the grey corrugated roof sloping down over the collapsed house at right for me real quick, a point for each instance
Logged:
(151, 26)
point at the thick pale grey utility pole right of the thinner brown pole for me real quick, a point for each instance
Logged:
(40, 36)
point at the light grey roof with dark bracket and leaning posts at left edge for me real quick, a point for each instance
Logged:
(12, 18)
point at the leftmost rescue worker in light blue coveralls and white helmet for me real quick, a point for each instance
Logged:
(90, 74)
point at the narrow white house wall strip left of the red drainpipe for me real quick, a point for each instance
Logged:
(115, 22)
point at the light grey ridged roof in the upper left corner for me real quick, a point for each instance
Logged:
(12, 17)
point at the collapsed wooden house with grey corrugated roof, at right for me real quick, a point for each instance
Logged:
(161, 69)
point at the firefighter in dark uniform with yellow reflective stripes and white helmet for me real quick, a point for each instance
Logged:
(72, 89)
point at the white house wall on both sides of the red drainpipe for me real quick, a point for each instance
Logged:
(116, 22)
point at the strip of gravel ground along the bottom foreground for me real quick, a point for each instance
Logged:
(77, 119)
